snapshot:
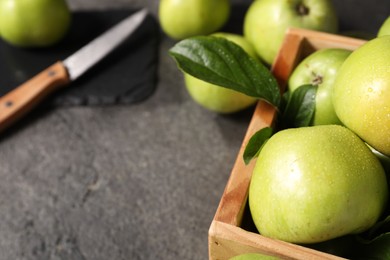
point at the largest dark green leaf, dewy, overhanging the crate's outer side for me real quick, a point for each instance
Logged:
(224, 63)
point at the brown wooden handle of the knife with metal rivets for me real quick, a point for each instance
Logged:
(22, 99)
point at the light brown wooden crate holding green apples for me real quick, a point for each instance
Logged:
(229, 234)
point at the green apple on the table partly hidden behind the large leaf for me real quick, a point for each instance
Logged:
(216, 98)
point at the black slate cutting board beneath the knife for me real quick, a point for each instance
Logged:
(125, 76)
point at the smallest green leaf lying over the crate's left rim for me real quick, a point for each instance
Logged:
(256, 142)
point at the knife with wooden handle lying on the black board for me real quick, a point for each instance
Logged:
(25, 97)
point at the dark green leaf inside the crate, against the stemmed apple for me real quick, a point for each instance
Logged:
(300, 107)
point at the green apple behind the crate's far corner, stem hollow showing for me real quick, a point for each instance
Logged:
(266, 22)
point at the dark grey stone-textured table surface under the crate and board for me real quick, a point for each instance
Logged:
(126, 182)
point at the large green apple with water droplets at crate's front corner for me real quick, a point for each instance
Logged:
(313, 184)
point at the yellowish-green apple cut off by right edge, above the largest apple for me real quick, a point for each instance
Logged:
(361, 93)
